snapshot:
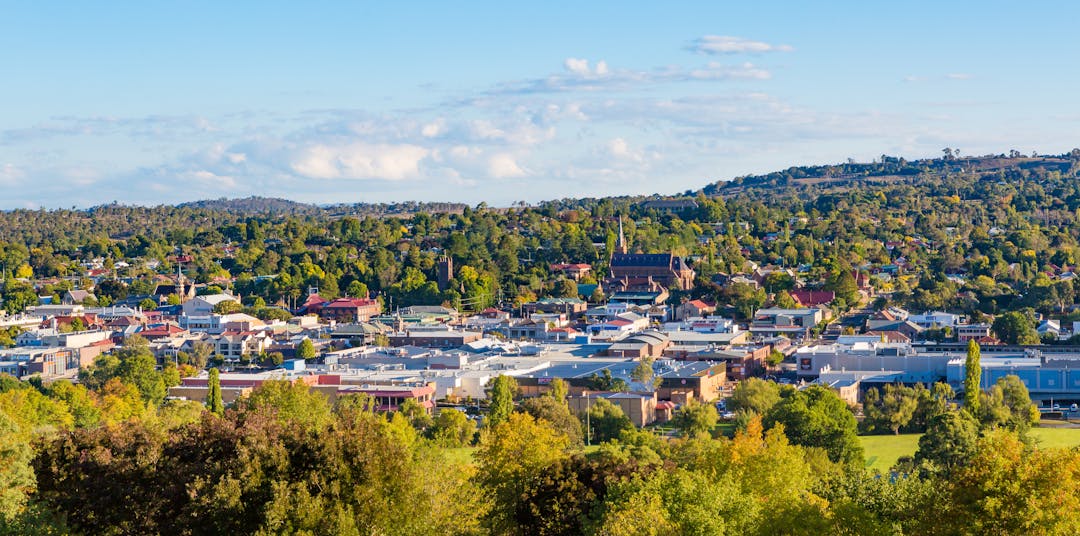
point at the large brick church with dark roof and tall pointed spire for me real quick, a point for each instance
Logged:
(646, 272)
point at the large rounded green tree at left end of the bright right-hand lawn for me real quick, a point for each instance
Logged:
(816, 417)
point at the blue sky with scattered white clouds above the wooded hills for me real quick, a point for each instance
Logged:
(340, 102)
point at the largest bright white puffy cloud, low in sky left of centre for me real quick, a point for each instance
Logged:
(360, 162)
